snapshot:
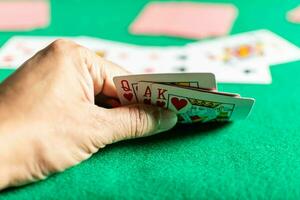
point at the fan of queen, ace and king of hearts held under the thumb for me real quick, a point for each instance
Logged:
(193, 96)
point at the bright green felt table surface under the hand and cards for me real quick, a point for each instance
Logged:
(258, 158)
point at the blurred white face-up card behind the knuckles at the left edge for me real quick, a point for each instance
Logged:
(18, 49)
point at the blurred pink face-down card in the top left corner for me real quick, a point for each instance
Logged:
(19, 15)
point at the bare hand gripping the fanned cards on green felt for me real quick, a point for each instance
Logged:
(49, 119)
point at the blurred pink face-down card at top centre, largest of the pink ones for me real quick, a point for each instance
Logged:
(185, 19)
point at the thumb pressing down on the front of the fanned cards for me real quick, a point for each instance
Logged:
(135, 121)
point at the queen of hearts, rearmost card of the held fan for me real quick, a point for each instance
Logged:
(127, 86)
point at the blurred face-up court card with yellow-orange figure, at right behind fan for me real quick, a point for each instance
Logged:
(257, 46)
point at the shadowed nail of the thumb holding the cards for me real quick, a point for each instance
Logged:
(168, 120)
